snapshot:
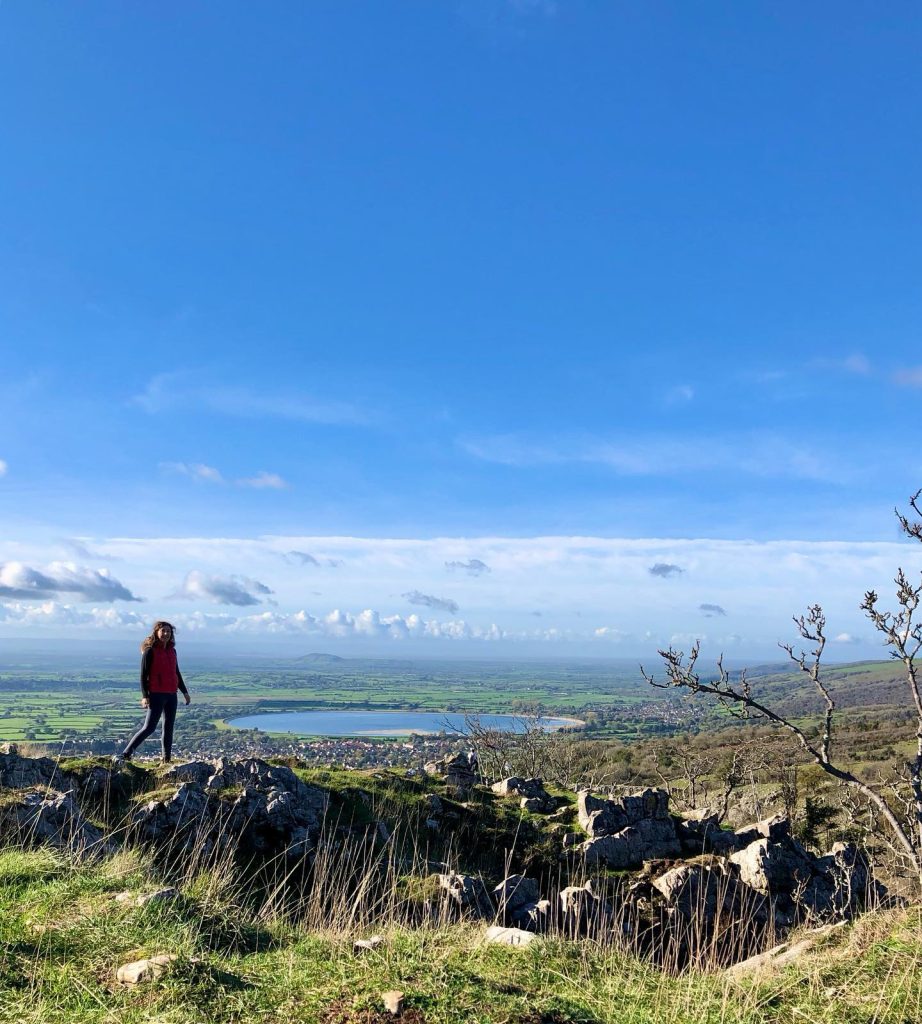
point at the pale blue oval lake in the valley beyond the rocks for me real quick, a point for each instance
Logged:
(381, 723)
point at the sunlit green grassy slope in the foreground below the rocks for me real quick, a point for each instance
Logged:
(63, 936)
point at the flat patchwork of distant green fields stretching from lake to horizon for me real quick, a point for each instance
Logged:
(41, 704)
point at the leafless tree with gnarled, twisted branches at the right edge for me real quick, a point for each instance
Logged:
(903, 634)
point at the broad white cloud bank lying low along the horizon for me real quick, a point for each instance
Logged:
(596, 596)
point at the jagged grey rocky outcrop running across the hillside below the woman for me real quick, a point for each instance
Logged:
(733, 891)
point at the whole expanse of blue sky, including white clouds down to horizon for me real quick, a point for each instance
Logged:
(399, 285)
